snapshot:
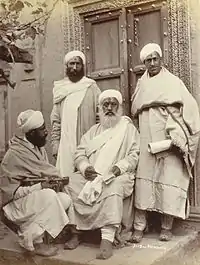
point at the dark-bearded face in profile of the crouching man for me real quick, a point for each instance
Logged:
(38, 136)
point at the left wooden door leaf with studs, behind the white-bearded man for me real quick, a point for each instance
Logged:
(106, 51)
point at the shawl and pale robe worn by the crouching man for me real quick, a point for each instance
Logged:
(32, 209)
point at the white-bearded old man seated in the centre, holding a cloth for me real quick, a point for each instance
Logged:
(106, 160)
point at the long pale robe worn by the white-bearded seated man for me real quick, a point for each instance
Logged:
(111, 208)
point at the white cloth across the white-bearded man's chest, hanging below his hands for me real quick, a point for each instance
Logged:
(109, 142)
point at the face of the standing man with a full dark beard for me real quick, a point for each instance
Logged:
(75, 69)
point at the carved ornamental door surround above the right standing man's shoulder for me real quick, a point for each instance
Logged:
(179, 43)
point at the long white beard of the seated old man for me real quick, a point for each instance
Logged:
(109, 121)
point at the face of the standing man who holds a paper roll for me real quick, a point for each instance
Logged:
(153, 63)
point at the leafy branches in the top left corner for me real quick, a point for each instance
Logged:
(12, 28)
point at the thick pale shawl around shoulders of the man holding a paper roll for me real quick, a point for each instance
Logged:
(165, 89)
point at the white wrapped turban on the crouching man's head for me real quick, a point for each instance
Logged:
(30, 120)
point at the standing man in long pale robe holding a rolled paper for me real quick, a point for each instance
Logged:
(168, 120)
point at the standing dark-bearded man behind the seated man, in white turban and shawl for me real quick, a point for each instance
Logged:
(74, 110)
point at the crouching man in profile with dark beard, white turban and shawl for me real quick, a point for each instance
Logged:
(37, 208)
